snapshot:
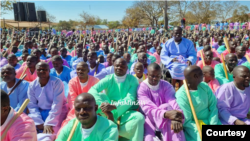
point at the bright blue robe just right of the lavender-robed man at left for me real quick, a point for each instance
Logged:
(64, 76)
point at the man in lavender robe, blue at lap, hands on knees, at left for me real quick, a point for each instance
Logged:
(47, 103)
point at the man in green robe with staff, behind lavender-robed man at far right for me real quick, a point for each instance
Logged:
(231, 62)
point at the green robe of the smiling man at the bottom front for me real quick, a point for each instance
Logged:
(104, 130)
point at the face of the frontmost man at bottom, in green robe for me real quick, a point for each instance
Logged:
(85, 111)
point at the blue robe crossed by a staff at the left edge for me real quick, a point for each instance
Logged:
(18, 96)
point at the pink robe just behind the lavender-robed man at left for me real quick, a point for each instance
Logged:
(30, 77)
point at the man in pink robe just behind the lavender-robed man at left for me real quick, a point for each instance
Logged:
(30, 71)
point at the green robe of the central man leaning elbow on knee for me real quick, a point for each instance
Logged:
(131, 121)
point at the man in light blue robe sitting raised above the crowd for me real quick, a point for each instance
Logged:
(177, 54)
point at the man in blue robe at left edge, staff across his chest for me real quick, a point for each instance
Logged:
(18, 96)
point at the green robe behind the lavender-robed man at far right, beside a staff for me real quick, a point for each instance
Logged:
(220, 74)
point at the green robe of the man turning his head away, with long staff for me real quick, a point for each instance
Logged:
(205, 105)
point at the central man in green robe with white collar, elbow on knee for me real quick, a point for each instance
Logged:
(120, 99)
